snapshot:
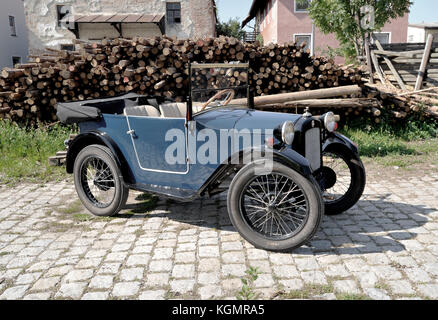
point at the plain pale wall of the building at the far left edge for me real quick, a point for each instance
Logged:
(12, 46)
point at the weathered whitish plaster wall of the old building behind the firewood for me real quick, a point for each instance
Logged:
(198, 20)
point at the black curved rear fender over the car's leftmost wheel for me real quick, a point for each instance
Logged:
(98, 137)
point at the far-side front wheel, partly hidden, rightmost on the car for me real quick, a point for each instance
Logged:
(342, 179)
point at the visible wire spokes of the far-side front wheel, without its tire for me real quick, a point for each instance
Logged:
(344, 179)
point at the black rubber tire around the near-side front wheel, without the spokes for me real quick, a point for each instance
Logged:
(237, 207)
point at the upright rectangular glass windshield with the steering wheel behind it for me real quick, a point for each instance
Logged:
(218, 85)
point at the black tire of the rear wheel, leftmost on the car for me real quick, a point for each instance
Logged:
(100, 157)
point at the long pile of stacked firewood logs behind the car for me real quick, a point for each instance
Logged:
(159, 66)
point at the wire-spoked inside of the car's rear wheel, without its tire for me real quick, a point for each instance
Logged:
(97, 181)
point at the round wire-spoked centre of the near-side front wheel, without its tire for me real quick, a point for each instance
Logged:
(274, 206)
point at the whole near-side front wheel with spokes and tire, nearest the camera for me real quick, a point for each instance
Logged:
(280, 210)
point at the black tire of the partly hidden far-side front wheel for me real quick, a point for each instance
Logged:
(356, 187)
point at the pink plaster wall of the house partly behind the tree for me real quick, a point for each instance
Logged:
(290, 23)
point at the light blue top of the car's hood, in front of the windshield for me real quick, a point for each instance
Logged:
(242, 118)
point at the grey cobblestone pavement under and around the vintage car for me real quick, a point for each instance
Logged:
(386, 247)
